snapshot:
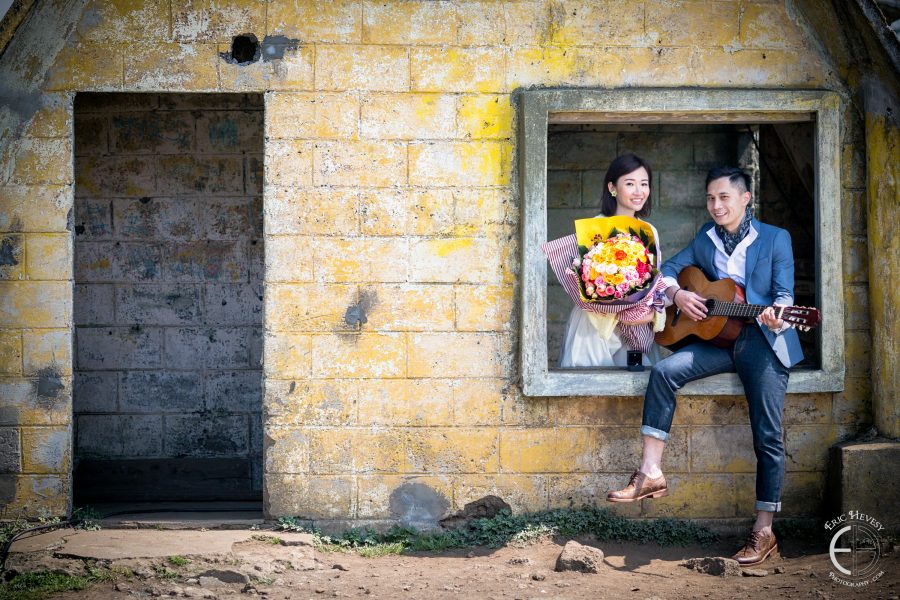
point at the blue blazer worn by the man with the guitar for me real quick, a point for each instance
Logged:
(769, 277)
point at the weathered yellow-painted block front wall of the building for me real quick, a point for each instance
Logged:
(390, 189)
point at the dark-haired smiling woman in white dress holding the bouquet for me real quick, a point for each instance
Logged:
(586, 344)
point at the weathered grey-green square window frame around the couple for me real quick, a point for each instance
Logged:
(539, 108)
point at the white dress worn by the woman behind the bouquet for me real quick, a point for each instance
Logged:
(591, 341)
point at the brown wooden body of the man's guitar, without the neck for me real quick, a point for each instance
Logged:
(720, 331)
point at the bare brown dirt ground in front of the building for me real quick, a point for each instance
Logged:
(630, 571)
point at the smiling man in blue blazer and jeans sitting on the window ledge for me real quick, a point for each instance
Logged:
(759, 258)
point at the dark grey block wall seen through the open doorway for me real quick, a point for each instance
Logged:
(168, 278)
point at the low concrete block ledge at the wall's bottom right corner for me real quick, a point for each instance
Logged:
(862, 477)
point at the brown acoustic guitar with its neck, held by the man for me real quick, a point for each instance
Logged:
(727, 312)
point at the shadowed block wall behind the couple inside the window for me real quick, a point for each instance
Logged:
(577, 159)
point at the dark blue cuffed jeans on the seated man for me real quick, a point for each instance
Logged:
(765, 381)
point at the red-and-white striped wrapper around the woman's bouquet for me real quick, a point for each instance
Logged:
(630, 309)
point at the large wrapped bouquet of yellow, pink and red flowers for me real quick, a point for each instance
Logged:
(610, 267)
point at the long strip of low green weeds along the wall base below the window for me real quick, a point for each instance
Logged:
(520, 530)
